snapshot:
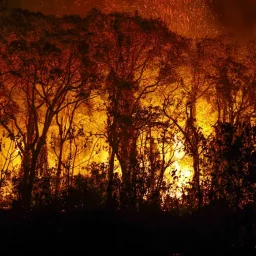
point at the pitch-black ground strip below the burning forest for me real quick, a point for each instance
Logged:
(101, 232)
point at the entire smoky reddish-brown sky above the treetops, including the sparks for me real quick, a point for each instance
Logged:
(193, 18)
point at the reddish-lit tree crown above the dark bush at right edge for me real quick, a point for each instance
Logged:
(234, 88)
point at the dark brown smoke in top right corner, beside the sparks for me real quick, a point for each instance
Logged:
(236, 16)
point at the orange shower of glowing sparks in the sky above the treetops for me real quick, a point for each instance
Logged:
(191, 18)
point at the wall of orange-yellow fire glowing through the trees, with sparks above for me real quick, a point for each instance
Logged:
(135, 99)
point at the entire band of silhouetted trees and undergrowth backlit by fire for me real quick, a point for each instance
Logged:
(114, 111)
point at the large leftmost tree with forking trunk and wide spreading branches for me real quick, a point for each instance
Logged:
(40, 77)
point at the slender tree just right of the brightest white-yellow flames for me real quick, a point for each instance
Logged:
(181, 107)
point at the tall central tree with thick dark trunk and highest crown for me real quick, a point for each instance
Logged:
(133, 53)
